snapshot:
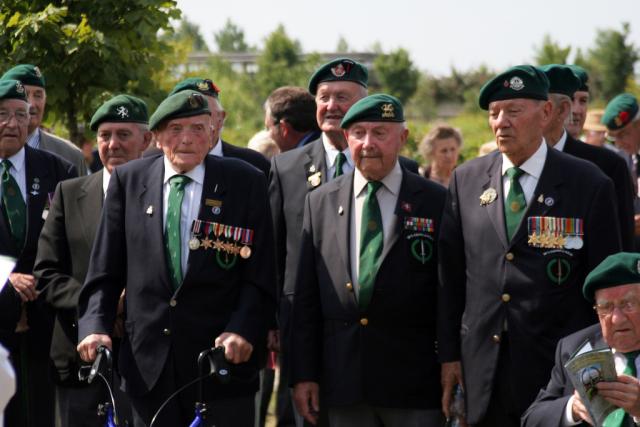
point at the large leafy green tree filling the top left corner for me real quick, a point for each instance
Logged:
(88, 50)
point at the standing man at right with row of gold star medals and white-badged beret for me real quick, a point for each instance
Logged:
(522, 228)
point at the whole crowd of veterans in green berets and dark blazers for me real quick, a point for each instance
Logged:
(380, 289)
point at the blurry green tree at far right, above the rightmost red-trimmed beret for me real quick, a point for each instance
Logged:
(611, 62)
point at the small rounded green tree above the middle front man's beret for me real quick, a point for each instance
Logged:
(397, 74)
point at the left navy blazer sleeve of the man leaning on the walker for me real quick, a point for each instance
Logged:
(107, 271)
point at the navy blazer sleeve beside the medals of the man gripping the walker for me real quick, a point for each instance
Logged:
(255, 310)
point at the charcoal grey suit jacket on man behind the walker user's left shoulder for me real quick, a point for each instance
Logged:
(62, 261)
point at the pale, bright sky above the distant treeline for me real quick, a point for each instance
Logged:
(463, 33)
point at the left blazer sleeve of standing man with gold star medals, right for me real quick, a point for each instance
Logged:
(452, 276)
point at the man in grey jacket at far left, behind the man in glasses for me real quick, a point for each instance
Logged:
(34, 83)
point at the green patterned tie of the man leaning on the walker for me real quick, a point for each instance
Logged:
(172, 231)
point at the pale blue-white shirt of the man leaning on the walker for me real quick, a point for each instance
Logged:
(190, 205)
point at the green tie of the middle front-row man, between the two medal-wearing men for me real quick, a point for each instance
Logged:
(371, 243)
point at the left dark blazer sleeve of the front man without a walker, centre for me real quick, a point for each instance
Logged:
(306, 335)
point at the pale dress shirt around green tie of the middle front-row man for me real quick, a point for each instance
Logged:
(387, 196)
